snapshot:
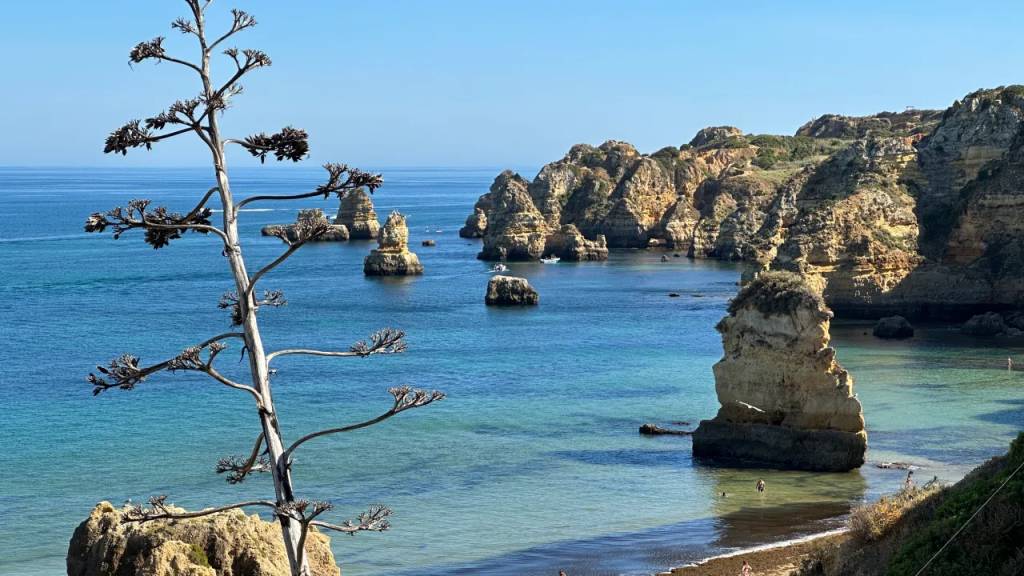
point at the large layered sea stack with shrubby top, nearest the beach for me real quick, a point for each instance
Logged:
(786, 402)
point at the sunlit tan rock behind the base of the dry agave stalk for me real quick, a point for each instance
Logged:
(229, 544)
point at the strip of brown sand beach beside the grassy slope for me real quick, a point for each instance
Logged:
(775, 561)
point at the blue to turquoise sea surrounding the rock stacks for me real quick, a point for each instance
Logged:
(533, 464)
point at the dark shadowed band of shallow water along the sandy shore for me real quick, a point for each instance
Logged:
(658, 550)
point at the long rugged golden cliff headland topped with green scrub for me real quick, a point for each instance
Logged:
(914, 214)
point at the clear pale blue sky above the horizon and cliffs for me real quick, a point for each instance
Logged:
(495, 84)
